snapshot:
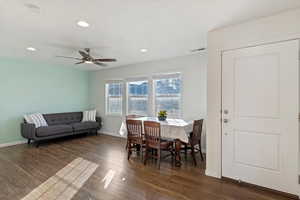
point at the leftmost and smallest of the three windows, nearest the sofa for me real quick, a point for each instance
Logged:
(114, 98)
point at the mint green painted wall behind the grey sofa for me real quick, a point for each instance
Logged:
(28, 87)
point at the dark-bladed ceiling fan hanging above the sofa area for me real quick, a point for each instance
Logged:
(87, 58)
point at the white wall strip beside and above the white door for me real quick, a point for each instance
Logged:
(283, 26)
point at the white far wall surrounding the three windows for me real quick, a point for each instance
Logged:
(193, 71)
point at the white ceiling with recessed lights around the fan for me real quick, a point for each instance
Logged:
(120, 28)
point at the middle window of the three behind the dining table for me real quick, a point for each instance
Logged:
(137, 97)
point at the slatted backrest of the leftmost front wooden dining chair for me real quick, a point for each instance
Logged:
(134, 129)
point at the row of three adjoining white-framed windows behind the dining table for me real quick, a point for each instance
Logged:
(145, 96)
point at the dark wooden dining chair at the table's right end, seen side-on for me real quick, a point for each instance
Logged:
(195, 140)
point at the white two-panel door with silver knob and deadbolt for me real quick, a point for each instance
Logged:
(260, 115)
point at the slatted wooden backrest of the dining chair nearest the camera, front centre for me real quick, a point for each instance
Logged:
(152, 134)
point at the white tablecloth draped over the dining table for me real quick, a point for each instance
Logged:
(171, 128)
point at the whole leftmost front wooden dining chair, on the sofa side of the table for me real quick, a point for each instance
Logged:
(135, 137)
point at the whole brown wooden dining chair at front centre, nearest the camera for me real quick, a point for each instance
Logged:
(154, 141)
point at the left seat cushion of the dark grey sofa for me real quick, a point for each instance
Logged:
(53, 130)
